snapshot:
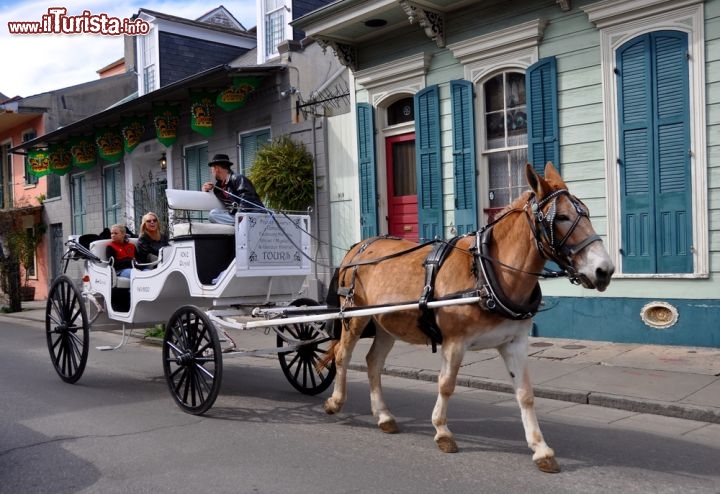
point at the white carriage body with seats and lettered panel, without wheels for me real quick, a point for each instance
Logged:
(262, 259)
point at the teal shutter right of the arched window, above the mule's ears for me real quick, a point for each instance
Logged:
(542, 109)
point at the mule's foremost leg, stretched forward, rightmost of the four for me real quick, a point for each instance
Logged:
(514, 353)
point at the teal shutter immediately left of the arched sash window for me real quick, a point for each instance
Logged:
(463, 119)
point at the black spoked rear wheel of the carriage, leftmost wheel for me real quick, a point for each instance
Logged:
(67, 329)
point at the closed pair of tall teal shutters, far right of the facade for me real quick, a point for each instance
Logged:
(654, 161)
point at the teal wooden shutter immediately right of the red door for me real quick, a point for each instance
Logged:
(429, 173)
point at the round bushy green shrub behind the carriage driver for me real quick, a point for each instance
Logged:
(283, 175)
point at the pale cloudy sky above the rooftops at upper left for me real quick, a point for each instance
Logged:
(37, 63)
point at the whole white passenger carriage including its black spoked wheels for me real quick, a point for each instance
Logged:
(210, 275)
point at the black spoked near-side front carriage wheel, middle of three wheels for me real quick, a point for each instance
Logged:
(192, 360)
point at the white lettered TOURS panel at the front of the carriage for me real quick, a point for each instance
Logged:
(271, 245)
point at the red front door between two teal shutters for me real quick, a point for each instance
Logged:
(402, 187)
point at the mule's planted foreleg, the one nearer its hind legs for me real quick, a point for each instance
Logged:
(452, 355)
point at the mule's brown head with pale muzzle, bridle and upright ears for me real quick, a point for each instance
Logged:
(563, 231)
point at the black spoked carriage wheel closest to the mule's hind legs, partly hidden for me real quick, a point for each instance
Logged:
(301, 366)
